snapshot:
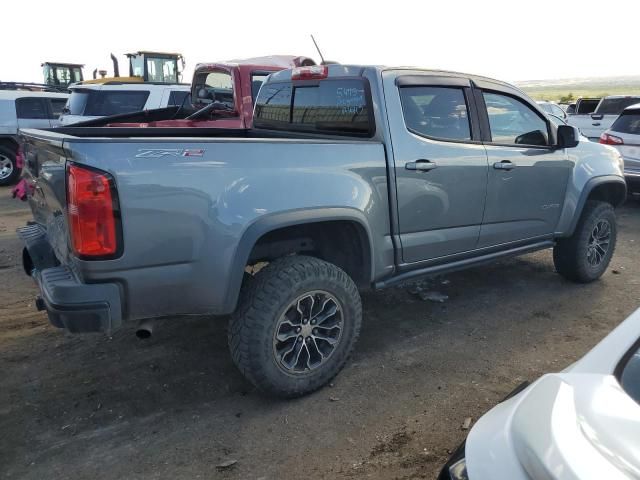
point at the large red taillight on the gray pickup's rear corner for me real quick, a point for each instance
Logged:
(91, 213)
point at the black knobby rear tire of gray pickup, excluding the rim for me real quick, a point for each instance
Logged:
(262, 303)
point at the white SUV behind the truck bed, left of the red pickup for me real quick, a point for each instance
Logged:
(91, 101)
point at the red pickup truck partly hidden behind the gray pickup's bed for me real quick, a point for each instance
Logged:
(222, 94)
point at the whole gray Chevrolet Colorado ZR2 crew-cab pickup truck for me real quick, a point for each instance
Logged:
(353, 177)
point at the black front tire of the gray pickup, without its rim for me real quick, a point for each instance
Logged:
(570, 254)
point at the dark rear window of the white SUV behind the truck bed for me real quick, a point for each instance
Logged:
(100, 103)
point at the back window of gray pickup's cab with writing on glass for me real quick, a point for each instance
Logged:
(333, 106)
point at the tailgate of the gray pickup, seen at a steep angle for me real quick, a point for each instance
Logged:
(44, 171)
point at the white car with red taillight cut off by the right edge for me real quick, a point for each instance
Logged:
(624, 135)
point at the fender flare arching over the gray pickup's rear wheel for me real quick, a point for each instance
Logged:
(275, 221)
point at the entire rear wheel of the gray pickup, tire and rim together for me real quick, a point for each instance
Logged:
(295, 326)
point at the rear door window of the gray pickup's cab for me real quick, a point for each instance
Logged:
(436, 112)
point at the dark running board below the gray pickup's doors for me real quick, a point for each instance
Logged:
(462, 264)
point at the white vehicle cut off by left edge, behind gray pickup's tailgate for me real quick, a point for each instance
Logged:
(23, 109)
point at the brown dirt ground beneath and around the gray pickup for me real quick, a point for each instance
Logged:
(174, 406)
